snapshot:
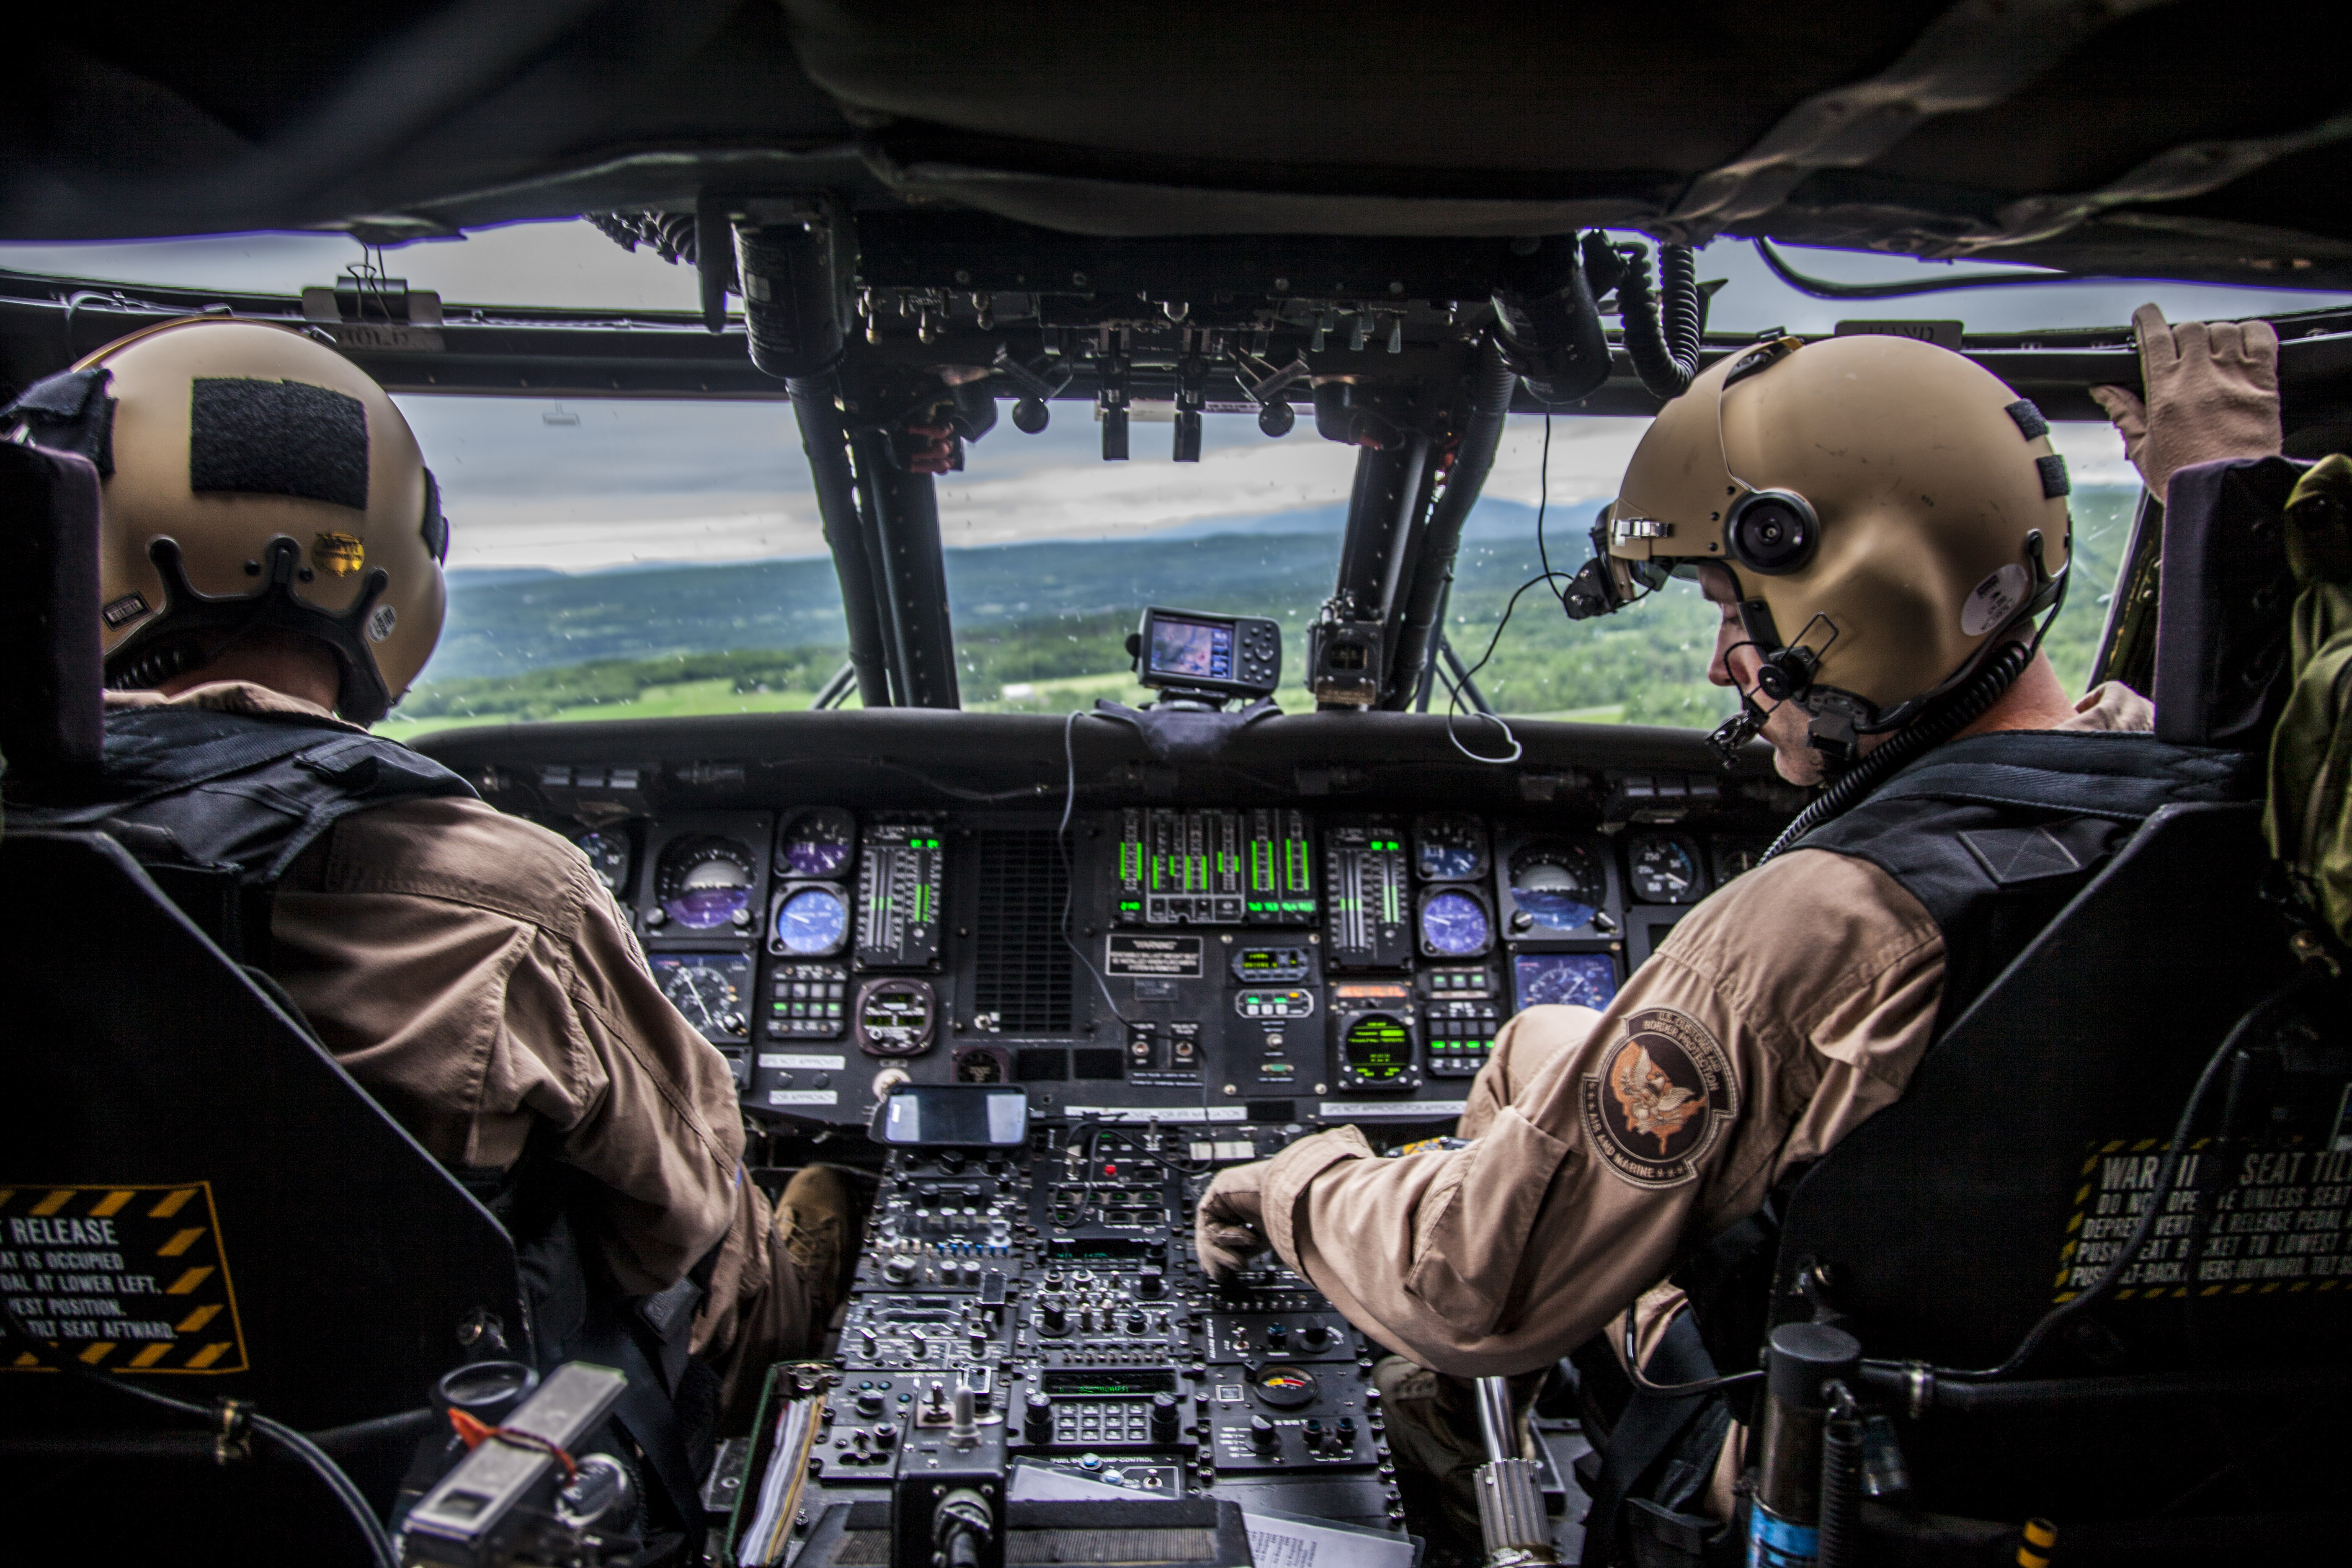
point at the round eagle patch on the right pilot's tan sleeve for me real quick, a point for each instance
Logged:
(1659, 1099)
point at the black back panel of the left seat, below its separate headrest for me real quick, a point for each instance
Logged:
(208, 1195)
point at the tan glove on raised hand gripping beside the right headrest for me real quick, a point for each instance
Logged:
(2212, 394)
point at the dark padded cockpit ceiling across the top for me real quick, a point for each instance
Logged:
(2141, 138)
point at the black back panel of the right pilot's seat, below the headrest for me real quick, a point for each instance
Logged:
(2019, 1158)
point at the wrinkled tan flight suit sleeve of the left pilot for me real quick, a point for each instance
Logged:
(472, 972)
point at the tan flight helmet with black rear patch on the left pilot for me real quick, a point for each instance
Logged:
(250, 478)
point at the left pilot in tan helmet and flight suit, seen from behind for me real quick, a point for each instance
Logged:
(272, 558)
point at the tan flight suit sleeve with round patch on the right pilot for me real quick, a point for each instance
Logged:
(1777, 1017)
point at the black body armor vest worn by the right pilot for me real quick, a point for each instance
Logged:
(1993, 836)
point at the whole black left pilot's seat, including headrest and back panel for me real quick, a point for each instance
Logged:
(194, 1195)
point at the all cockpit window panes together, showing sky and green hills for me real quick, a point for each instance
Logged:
(636, 558)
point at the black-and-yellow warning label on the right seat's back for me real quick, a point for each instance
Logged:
(2236, 1224)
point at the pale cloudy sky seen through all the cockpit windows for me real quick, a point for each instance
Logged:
(592, 485)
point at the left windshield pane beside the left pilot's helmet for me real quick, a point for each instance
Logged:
(622, 558)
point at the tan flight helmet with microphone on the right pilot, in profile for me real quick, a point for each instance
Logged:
(1890, 511)
